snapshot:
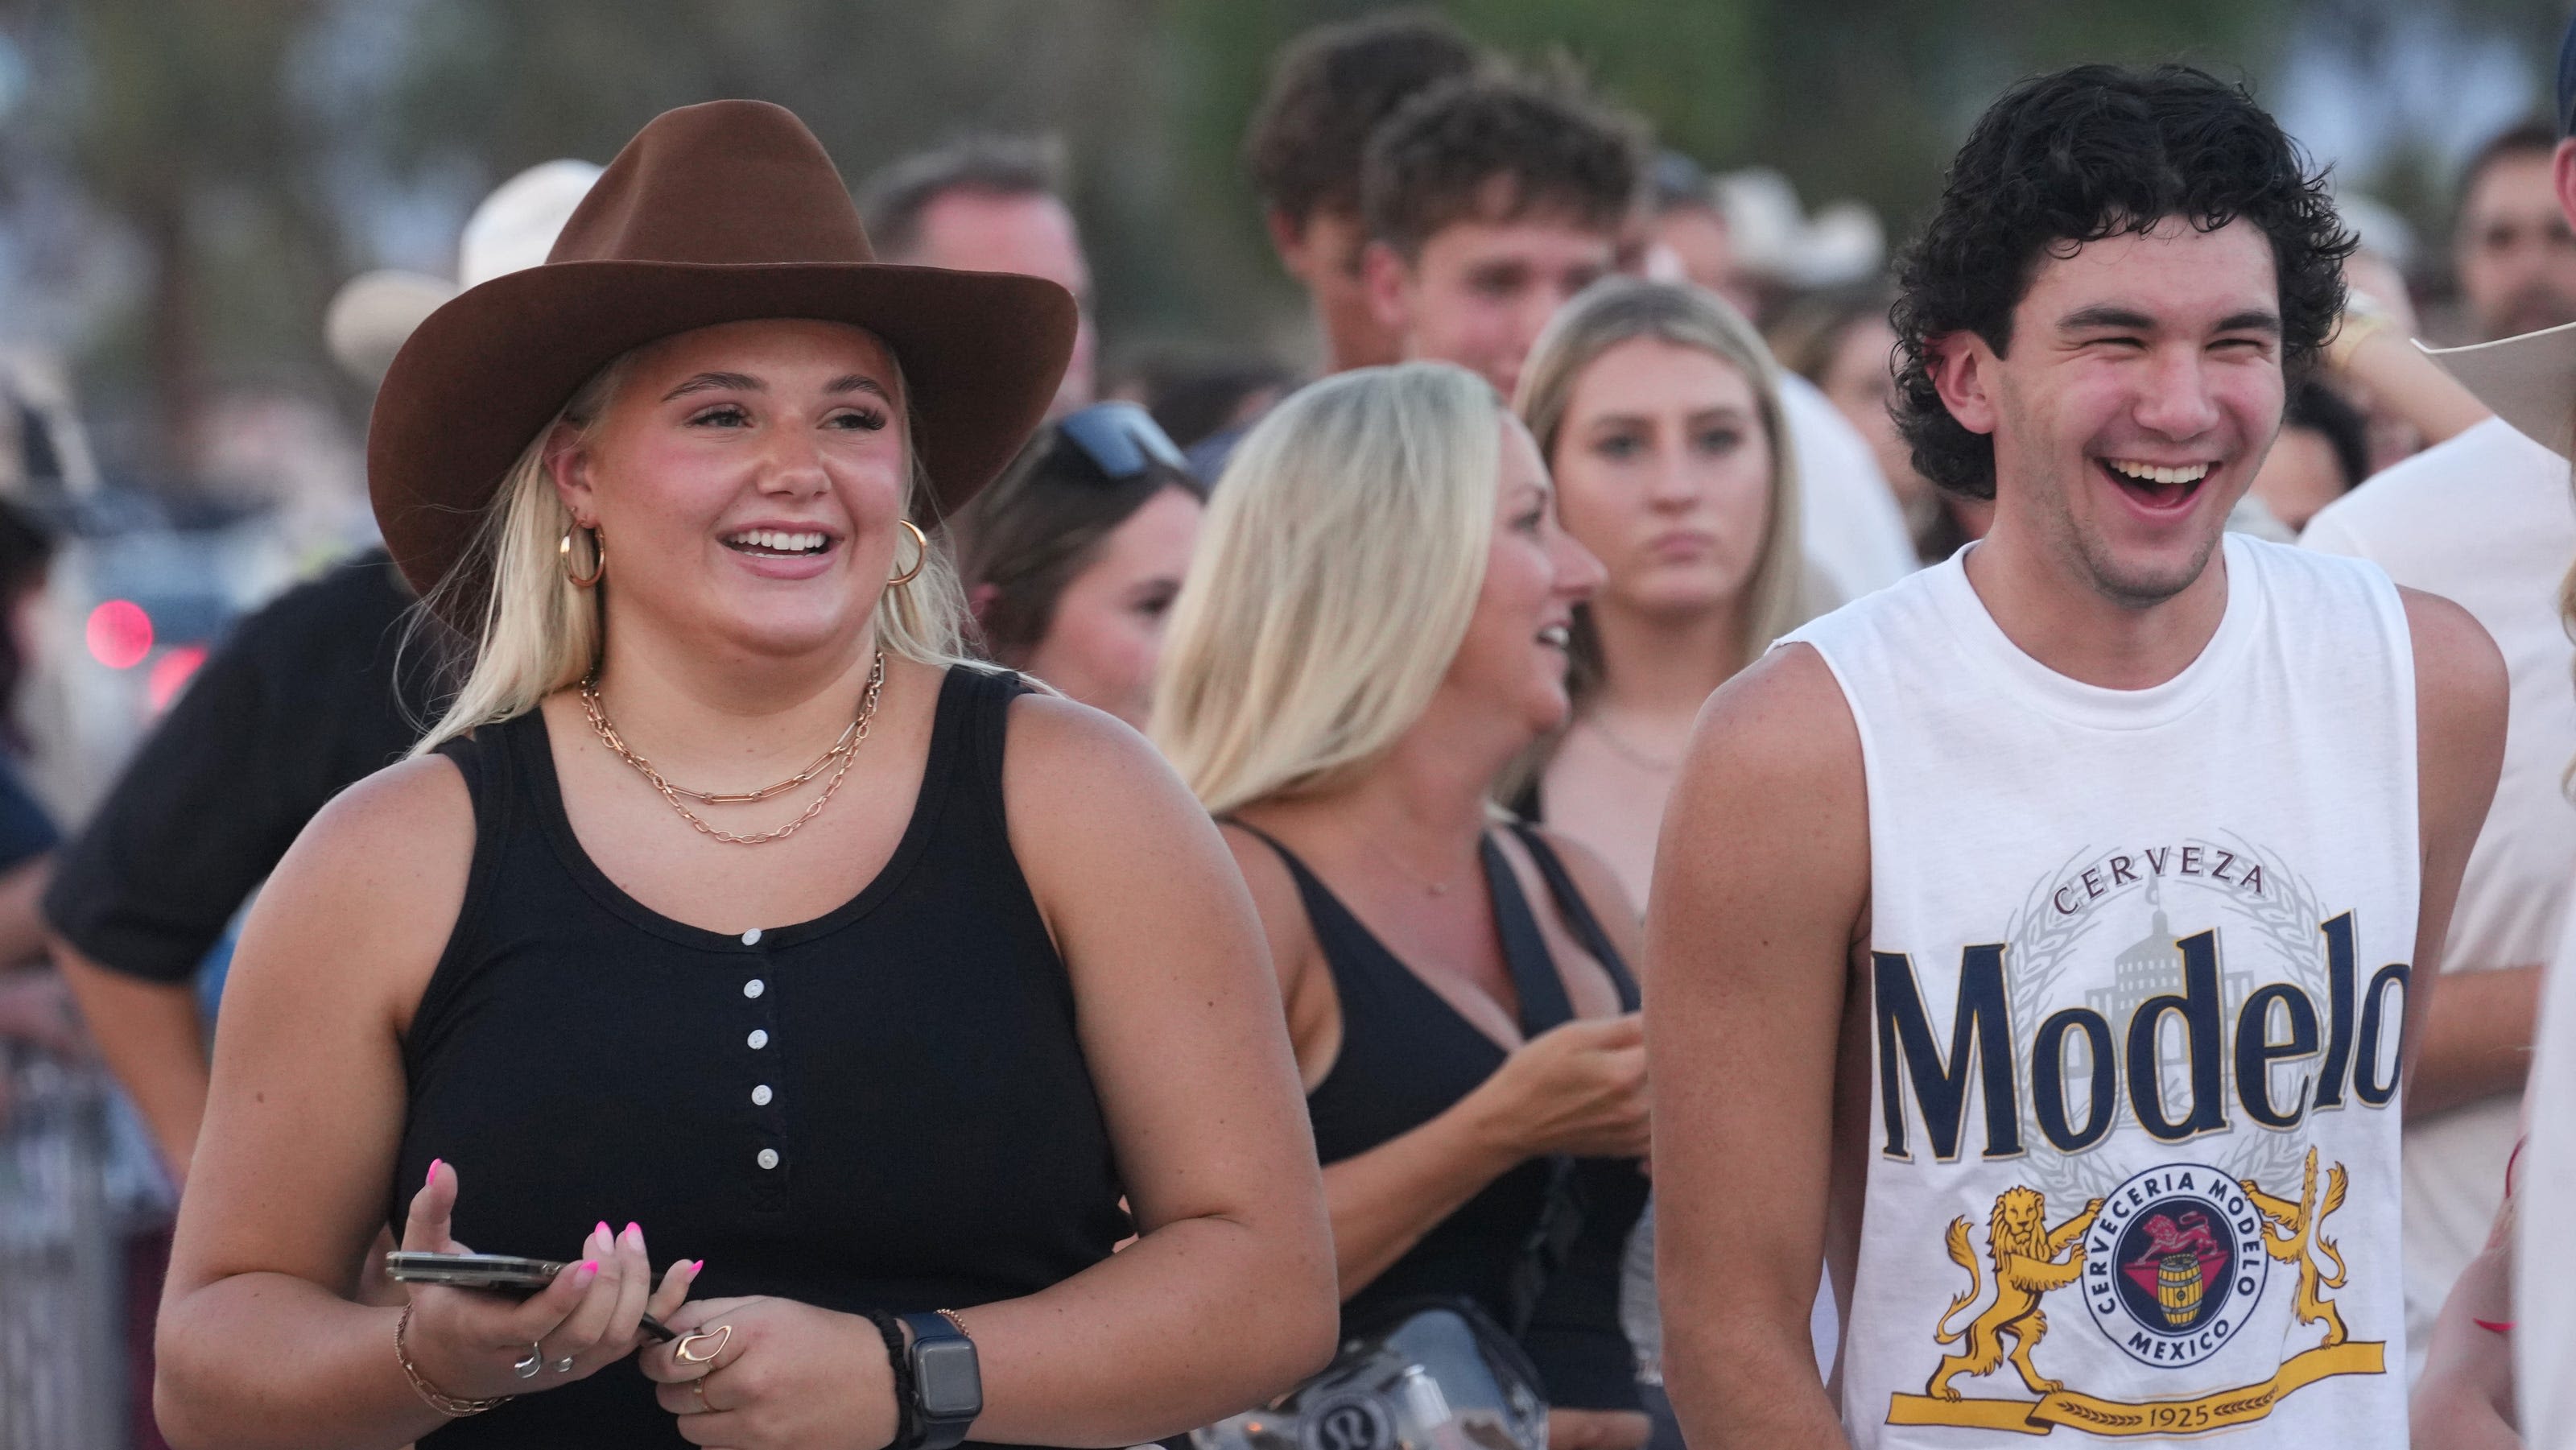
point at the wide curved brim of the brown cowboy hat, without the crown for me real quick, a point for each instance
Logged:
(468, 393)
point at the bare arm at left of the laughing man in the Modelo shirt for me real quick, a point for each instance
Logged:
(1758, 898)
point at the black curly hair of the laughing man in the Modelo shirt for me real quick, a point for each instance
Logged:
(2075, 158)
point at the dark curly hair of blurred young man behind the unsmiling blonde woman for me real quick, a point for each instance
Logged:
(1498, 148)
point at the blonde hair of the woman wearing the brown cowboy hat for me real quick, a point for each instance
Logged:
(542, 635)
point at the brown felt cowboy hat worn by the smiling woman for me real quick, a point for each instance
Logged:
(717, 212)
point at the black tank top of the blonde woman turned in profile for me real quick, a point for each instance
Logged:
(1410, 1057)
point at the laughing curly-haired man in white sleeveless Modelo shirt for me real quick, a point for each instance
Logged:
(2098, 872)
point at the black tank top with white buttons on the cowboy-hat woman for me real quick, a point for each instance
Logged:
(880, 1109)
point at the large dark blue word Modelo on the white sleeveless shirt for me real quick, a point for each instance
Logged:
(2351, 1031)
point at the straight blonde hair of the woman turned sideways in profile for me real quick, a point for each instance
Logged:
(1333, 583)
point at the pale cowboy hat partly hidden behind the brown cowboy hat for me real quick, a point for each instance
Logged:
(514, 228)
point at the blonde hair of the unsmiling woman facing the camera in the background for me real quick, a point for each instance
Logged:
(1619, 310)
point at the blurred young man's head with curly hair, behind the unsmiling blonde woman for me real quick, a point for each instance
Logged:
(1490, 202)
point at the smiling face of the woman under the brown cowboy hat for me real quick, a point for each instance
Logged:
(748, 483)
